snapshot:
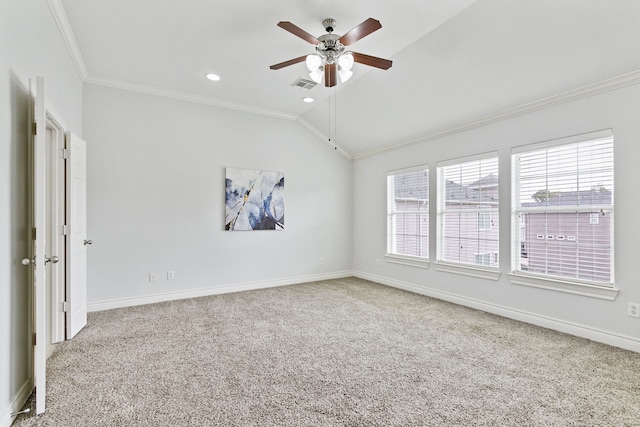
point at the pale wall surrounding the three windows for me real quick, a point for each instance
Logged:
(597, 319)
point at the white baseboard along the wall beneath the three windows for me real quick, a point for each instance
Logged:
(625, 342)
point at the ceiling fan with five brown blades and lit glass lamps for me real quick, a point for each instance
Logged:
(332, 58)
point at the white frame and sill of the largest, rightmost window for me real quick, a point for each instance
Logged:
(518, 276)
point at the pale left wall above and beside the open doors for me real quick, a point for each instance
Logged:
(30, 46)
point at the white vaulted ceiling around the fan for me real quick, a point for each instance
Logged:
(454, 61)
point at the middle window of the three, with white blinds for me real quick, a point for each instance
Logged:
(468, 211)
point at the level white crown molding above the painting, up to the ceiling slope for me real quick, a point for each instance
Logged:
(183, 96)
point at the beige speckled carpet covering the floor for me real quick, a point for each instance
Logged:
(344, 352)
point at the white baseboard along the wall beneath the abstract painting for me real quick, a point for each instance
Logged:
(215, 290)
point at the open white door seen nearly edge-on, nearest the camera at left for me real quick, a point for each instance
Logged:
(38, 258)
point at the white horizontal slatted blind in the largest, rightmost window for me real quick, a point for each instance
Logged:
(563, 208)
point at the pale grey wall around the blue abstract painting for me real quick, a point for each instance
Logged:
(156, 179)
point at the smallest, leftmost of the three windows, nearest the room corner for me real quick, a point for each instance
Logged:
(408, 213)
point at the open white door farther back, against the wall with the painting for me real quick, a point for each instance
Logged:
(77, 238)
